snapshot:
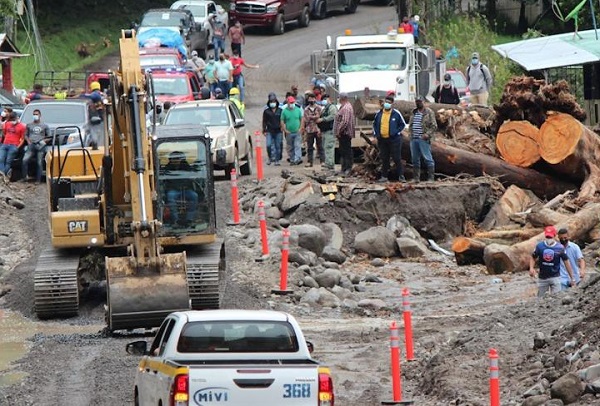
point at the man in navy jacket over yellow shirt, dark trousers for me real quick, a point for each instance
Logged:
(387, 127)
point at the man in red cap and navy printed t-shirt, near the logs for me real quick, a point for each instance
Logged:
(548, 254)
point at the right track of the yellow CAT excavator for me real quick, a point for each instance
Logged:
(204, 267)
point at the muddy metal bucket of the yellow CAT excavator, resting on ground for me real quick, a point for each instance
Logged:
(141, 297)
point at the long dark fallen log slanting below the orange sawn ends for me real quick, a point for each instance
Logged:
(454, 161)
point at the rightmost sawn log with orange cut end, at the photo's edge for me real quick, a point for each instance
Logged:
(572, 150)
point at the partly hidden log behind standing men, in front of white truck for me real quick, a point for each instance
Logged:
(366, 108)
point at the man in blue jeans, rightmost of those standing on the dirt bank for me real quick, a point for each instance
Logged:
(422, 127)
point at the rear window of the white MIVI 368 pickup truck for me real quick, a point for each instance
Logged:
(239, 337)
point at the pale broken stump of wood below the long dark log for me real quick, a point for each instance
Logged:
(514, 200)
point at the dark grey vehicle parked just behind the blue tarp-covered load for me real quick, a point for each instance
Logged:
(180, 20)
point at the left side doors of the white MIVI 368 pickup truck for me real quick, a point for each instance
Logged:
(157, 384)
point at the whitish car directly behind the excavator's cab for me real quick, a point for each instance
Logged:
(231, 143)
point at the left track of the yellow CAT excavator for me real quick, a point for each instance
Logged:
(56, 285)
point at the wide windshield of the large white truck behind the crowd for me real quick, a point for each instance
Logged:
(359, 60)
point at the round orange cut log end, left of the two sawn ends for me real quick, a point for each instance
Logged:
(517, 143)
